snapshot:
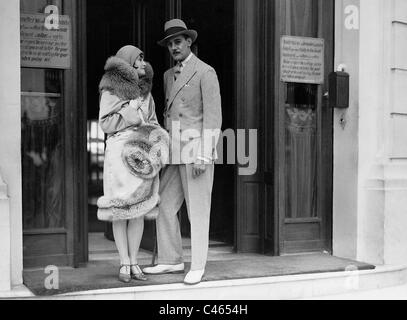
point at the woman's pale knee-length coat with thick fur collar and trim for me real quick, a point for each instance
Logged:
(134, 154)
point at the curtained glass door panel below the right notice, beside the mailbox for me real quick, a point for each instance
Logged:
(301, 151)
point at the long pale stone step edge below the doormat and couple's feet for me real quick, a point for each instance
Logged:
(309, 286)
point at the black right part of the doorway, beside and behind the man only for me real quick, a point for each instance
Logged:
(215, 46)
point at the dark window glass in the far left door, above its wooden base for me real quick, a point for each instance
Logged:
(42, 131)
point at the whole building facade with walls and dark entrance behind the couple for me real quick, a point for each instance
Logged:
(325, 179)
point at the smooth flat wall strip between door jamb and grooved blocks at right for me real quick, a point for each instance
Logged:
(373, 120)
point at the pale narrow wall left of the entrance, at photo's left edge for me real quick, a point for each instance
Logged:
(10, 139)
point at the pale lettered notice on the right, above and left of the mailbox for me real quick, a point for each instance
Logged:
(302, 60)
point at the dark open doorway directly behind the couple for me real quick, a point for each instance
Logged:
(112, 24)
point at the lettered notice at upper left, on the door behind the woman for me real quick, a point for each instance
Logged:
(42, 47)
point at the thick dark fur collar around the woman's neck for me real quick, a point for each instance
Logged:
(122, 80)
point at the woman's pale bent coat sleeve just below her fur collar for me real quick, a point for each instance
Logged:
(115, 114)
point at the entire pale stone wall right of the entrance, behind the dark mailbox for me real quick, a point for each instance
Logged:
(370, 145)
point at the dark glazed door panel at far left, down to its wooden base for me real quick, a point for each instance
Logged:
(45, 220)
